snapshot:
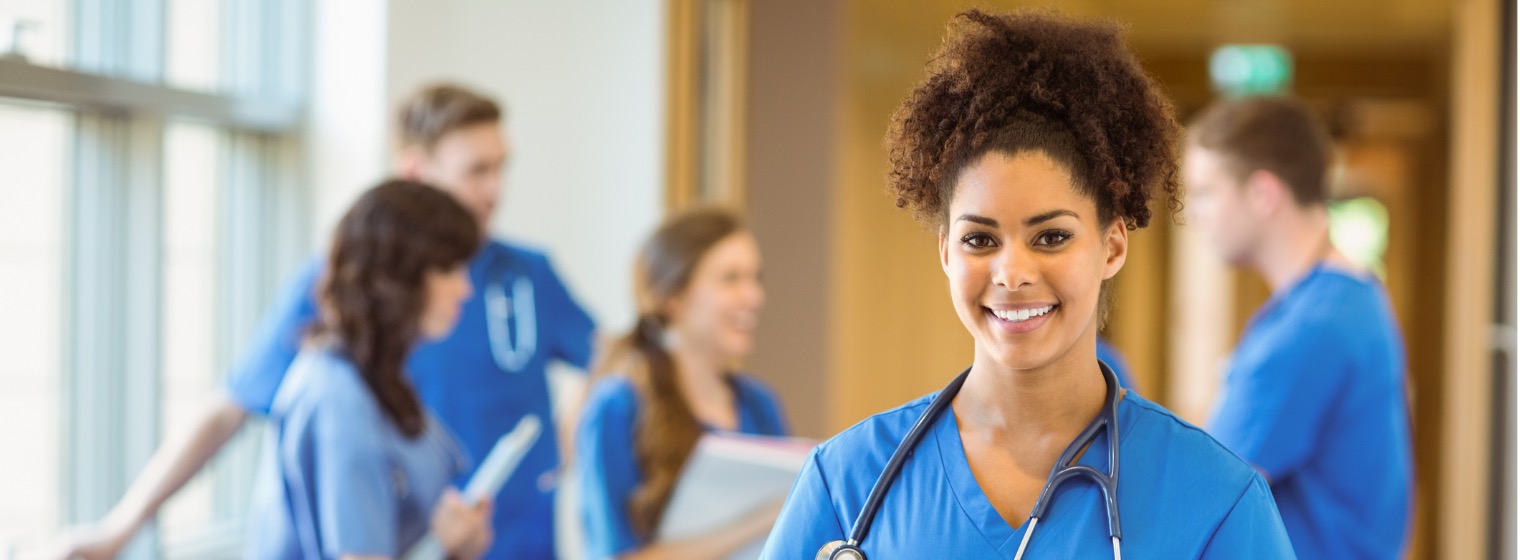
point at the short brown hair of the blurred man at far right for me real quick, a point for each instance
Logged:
(1268, 133)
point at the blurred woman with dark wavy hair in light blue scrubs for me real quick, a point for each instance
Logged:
(358, 466)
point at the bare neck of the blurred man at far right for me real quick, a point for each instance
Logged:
(1299, 241)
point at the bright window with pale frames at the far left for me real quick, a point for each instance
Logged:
(148, 217)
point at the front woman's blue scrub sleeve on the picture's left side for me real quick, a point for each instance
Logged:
(808, 520)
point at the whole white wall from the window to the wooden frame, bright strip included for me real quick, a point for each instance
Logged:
(583, 83)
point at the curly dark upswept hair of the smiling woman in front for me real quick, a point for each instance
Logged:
(1037, 81)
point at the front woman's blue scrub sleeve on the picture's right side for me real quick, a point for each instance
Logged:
(1252, 530)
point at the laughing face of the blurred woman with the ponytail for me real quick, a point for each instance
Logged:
(721, 307)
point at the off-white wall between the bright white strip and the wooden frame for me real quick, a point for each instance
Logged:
(583, 83)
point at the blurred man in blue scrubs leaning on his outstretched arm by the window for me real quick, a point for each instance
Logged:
(481, 380)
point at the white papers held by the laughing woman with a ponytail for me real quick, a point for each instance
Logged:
(727, 479)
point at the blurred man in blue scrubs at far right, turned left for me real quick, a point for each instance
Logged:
(1314, 395)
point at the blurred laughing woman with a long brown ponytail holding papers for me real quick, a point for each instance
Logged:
(668, 383)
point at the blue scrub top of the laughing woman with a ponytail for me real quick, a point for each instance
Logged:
(607, 465)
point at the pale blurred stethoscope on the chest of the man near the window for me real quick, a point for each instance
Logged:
(504, 313)
